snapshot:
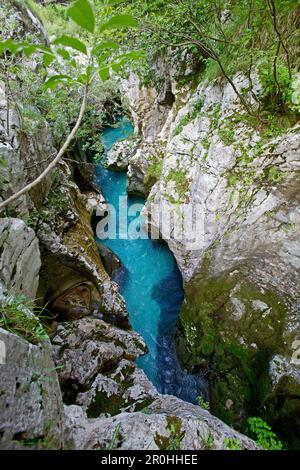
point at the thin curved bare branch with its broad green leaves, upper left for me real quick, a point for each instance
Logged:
(98, 59)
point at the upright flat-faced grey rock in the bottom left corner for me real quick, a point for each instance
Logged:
(31, 406)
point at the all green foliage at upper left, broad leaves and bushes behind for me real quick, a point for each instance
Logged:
(58, 100)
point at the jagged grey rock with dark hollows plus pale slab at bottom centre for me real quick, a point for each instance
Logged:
(105, 390)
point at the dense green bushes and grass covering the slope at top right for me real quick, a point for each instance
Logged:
(246, 38)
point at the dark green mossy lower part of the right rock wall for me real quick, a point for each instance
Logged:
(234, 327)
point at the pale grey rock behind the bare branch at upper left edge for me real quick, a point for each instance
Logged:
(25, 154)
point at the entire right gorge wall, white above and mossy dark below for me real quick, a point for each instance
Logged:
(241, 264)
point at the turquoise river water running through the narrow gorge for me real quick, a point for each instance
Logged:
(151, 284)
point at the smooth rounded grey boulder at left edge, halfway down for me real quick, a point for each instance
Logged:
(20, 259)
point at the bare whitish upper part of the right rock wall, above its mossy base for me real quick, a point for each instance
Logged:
(231, 193)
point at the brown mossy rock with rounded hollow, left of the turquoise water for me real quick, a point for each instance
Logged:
(71, 260)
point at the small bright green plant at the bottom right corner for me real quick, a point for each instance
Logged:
(263, 434)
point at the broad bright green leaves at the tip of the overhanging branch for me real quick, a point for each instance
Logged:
(81, 12)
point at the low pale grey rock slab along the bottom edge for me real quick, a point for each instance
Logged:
(168, 424)
